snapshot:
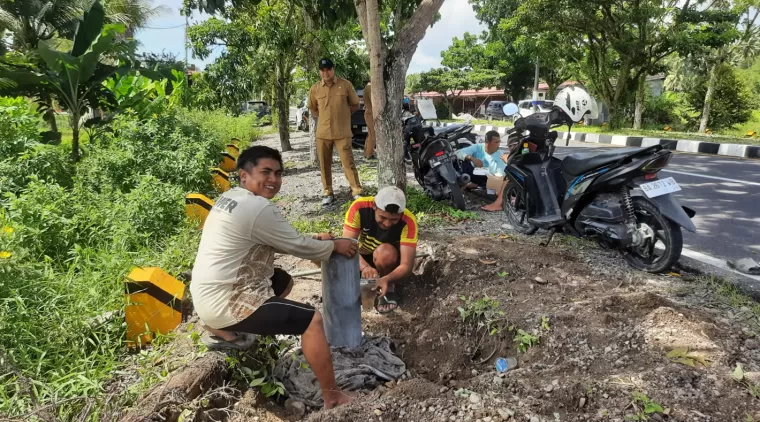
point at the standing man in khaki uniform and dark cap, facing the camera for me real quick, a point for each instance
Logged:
(332, 100)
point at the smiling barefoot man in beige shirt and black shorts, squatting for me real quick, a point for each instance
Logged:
(235, 287)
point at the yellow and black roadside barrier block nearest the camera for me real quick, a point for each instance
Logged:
(154, 304)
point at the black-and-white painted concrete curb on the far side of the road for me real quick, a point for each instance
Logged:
(700, 147)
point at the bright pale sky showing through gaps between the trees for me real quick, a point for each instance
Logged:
(166, 33)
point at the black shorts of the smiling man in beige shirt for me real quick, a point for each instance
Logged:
(277, 315)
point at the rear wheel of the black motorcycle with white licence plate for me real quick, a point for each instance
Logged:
(648, 257)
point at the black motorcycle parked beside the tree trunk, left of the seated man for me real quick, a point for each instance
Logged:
(435, 164)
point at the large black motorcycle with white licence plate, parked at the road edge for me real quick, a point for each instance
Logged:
(615, 197)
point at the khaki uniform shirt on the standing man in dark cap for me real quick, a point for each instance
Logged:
(333, 104)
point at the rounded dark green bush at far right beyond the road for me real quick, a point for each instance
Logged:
(732, 100)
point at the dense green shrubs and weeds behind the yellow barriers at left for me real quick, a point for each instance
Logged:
(70, 233)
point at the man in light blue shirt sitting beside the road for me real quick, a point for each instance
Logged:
(493, 162)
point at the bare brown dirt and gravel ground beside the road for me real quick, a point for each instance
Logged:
(595, 334)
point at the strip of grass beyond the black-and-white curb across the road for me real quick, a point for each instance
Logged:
(736, 135)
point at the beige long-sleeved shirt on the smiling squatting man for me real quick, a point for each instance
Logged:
(235, 260)
